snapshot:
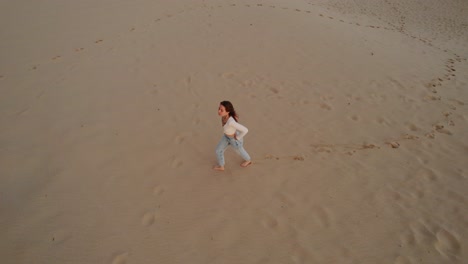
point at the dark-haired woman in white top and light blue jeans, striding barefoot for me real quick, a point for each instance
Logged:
(233, 135)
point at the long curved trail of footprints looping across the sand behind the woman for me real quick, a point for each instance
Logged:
(450, 69)
